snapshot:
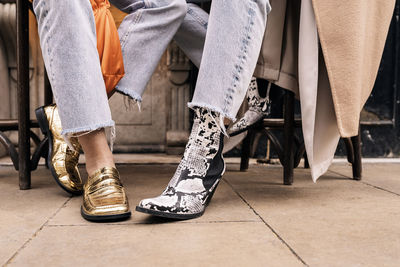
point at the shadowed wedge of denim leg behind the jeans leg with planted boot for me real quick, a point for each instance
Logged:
(191, 35)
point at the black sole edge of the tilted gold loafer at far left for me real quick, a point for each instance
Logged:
(44, 127)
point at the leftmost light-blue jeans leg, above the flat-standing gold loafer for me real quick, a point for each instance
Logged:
(69, 47)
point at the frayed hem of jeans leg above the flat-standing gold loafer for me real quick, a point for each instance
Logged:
(80, 131)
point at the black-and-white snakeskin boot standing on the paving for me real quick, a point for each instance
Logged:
(197, 176)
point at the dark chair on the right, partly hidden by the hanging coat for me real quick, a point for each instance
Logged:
(292, 150)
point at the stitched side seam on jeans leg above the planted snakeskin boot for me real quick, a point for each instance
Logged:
(228, 99)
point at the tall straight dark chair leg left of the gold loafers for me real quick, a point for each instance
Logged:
(23, 95)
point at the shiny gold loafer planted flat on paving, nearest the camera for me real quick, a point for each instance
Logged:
(104, 197)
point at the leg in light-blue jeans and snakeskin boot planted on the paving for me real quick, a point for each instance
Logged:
(233, 42)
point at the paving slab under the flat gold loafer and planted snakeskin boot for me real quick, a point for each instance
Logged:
(149, 181)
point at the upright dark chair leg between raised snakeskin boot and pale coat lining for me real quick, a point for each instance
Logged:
(288, 132)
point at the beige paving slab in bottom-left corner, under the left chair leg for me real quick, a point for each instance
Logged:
(22, 213)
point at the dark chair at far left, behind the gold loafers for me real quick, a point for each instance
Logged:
(22, 159)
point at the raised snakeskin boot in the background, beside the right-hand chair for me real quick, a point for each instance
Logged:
(259, 108)
